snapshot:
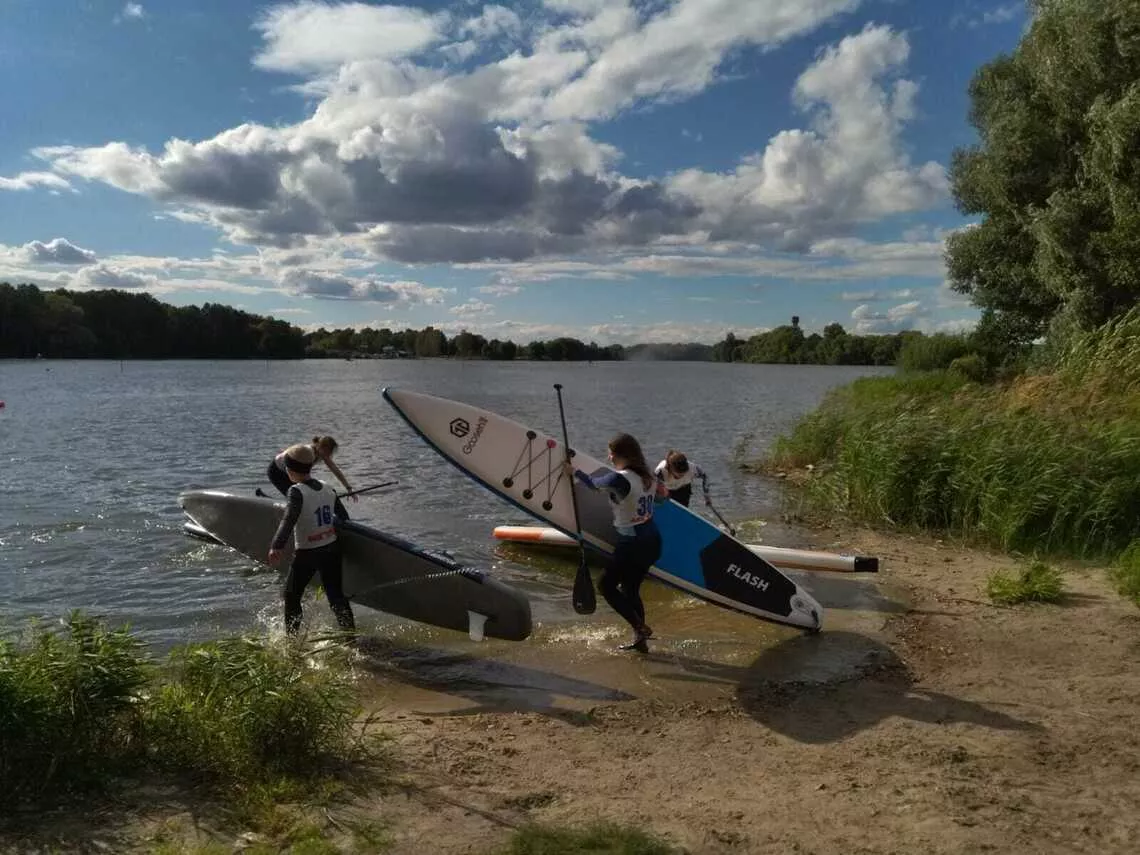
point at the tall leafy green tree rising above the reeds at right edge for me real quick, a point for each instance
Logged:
(1055, 176)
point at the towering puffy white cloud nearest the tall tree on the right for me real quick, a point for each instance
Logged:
(849, 169)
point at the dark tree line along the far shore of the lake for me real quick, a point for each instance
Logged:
(113, 324)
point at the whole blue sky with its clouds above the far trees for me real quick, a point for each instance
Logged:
(620, 172)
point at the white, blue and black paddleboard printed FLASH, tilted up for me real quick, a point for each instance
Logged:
(525, 467)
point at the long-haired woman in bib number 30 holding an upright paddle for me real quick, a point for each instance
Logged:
(633, 491)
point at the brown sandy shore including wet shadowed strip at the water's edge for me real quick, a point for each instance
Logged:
(952, 726)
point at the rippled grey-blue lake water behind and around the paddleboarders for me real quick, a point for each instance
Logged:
(97, 452)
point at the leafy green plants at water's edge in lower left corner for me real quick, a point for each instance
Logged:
(82, 705)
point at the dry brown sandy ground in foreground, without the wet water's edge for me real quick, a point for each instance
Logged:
(965, 728)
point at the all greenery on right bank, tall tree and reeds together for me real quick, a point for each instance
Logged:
(1022, 435)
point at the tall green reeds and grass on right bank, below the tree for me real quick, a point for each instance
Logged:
(1049, 463)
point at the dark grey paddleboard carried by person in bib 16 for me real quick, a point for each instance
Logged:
(381, 572)
